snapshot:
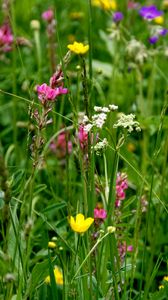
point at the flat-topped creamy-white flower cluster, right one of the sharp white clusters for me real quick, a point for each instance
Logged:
(127, 122)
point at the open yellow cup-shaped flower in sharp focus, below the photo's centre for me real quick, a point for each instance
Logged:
(80, 224)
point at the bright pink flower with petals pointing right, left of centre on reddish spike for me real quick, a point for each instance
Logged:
(45, 92)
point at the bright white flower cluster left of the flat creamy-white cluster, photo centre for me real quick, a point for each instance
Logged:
(99, 118)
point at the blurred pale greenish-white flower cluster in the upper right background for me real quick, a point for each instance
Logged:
(137, 51)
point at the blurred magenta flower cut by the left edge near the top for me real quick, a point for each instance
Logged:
(6, 38)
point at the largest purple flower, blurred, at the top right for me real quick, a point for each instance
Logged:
(150, 12)
